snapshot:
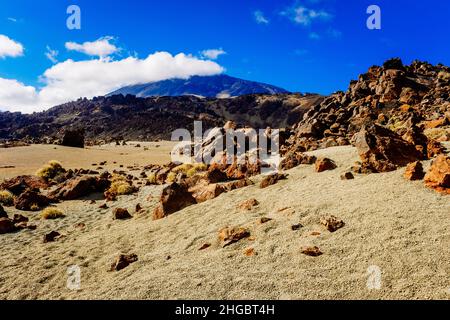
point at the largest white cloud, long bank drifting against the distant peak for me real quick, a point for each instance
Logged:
(70, 80)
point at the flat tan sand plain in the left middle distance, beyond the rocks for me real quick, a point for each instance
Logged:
(27, 160)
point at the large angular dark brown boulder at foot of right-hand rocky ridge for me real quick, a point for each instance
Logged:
(381, 150)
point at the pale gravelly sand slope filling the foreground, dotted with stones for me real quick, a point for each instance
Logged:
(400, 226)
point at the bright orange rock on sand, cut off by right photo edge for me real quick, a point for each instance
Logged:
(438, 176)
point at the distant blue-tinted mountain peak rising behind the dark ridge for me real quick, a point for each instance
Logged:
(206, 86)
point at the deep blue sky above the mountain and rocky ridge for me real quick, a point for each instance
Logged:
(307, 46)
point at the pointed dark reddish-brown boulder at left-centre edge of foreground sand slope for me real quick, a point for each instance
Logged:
(173, 198)
